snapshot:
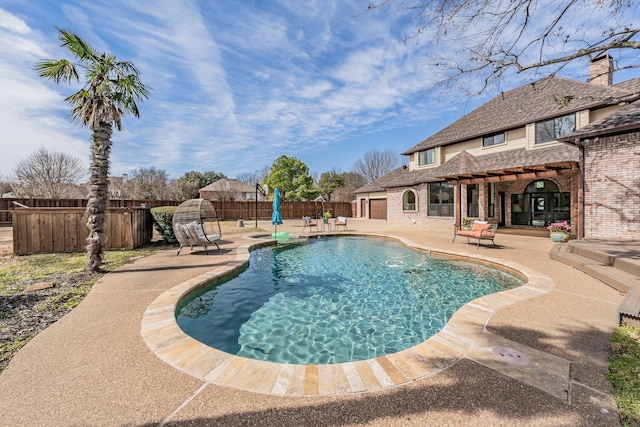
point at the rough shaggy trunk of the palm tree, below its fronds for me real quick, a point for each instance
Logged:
(98, 198)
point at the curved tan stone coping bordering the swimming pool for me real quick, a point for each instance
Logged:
(462, 335)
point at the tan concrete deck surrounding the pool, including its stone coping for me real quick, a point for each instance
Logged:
(535, 355)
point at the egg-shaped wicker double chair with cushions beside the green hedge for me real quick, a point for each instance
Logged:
(196, 223)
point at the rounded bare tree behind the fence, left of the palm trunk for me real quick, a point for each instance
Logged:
(48, 174)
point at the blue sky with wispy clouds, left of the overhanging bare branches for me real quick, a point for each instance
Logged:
(235, 84)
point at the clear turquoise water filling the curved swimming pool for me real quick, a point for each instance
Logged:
(334, 300)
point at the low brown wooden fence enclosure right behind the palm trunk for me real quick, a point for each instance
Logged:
(64, 229)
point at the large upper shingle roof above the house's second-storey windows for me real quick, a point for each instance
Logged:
(526, 104)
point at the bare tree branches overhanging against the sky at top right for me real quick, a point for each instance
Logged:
(493, 39)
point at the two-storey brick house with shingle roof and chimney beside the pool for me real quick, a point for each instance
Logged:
(518, 161)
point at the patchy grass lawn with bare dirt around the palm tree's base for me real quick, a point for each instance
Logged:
(23, 313)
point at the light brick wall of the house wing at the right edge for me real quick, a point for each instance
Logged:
(612, 187)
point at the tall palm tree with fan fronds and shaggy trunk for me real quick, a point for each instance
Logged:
(109, 93)
